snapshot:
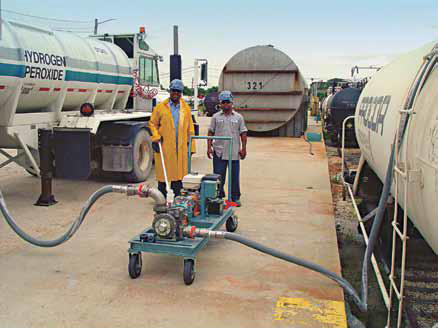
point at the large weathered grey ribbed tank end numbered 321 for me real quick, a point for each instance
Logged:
(269, 91)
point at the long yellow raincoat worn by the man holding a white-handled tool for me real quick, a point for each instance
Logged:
(162, 126)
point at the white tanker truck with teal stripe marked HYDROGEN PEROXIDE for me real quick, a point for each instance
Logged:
(47, 76)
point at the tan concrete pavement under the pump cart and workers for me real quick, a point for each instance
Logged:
(287, 205)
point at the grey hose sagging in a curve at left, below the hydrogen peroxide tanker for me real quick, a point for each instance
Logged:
(68, 234)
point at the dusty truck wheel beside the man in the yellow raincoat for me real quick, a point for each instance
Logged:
(142, 157)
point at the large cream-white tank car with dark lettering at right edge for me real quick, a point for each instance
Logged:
(376, 120)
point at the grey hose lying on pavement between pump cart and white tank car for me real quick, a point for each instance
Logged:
(292, 259)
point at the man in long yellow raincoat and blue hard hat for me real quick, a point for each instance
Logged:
(172, 125)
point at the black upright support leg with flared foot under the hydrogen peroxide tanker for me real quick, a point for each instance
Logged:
(46, 167)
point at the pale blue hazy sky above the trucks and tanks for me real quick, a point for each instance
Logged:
(324, 38)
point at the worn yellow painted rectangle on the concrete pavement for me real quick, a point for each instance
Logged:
(311, 312)
